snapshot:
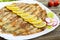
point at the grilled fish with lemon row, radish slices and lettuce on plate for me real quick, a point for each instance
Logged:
(24, 19)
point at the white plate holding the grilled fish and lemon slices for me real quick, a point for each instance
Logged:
(11, 37)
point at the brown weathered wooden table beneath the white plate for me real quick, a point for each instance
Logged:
(54, 35)
